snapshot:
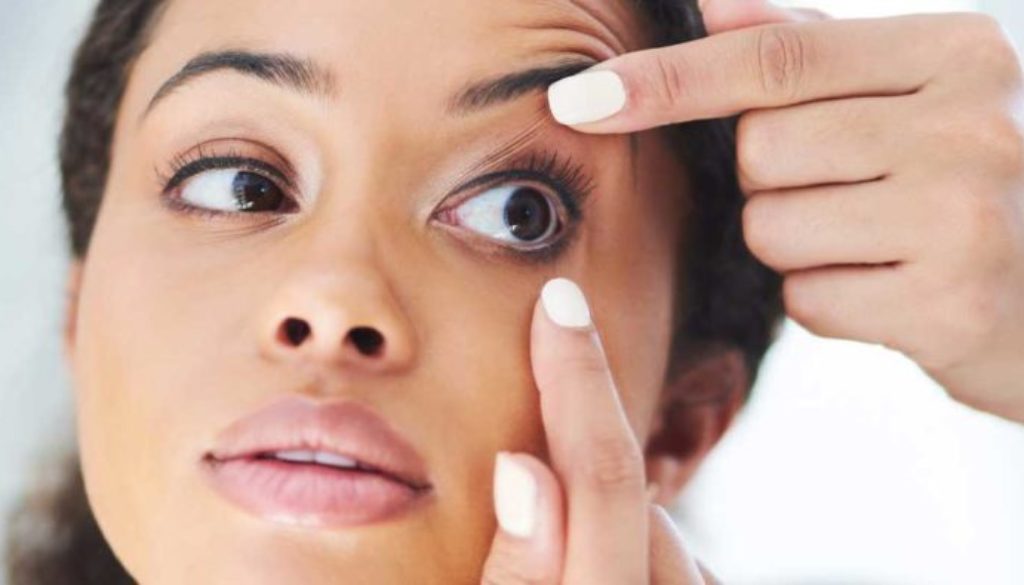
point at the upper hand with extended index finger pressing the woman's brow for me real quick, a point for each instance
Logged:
(884, 164)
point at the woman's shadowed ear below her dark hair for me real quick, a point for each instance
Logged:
(699, 404)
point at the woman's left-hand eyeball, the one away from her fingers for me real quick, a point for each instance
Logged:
(233, 191)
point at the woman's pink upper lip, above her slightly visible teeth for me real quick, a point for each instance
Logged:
(346, 429)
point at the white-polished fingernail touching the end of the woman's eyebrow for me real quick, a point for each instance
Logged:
(587, 97)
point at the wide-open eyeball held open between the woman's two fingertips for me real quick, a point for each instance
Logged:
(521, 216)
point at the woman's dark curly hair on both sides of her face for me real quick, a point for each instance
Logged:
(728, 298)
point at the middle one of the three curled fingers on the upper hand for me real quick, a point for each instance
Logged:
(868, 224)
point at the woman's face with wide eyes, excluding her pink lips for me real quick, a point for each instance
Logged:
(350, 203)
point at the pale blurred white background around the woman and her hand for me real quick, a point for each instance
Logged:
(848, 466)
